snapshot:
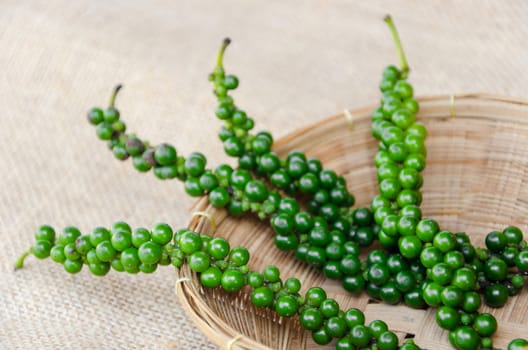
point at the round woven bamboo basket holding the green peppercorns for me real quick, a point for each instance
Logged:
(475, 182)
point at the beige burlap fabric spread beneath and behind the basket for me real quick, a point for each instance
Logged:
(298, 61)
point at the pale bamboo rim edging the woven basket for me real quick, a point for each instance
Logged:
(221, 333)
